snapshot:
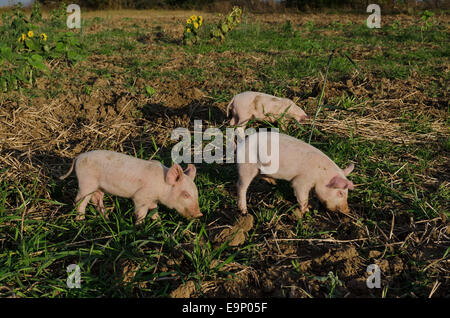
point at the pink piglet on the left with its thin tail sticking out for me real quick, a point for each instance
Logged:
(147, 182)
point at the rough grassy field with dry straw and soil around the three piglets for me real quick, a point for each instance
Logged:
(400, 173)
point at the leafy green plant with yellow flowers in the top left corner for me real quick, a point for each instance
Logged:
(25, 46)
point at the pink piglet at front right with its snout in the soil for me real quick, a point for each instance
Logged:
(305, 166)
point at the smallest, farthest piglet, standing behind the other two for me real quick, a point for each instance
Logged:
(254, 105)
